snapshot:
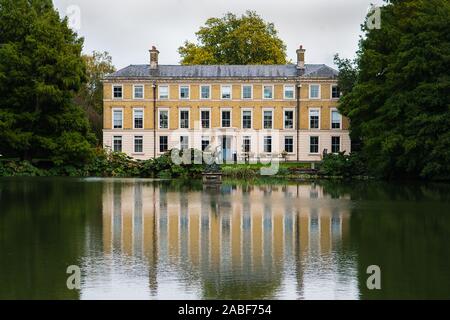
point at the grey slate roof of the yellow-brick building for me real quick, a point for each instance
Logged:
(224, 71)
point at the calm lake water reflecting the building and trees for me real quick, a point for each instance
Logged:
(141, 239)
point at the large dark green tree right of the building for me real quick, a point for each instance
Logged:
(398, 100)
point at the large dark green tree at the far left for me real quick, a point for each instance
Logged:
(41, 69)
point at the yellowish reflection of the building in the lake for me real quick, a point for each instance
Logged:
(239, 242)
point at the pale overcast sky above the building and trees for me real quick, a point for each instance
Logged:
(128, 28)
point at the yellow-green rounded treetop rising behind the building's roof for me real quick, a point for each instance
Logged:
(235, 40)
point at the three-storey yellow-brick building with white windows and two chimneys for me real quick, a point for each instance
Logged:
(261, 111)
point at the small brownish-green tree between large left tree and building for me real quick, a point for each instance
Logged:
(90, 96)
